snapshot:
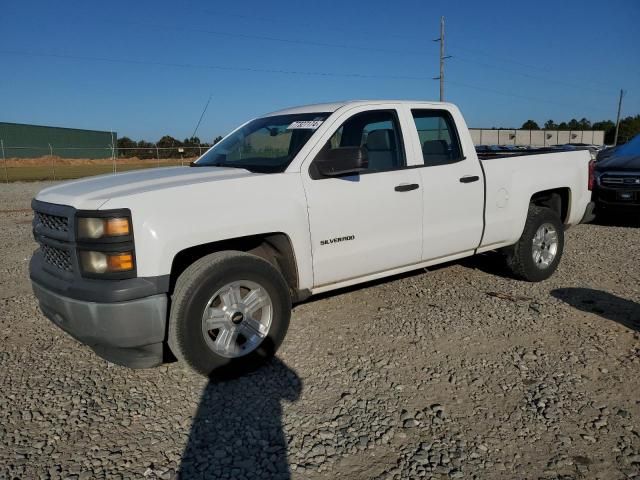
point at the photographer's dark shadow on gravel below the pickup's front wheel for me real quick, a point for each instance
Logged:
(237, 432)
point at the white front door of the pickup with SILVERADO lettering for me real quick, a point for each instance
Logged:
(371, 222)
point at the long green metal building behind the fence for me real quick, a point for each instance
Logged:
(32, 141)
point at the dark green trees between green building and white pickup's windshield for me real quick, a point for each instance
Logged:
(168, 147)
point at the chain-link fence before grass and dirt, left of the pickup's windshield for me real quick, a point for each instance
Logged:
(32, 163)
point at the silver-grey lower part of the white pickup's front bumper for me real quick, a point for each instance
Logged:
(129, 333)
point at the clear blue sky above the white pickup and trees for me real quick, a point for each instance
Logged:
(146, 68)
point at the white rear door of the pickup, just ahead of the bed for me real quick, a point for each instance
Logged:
(453, 189)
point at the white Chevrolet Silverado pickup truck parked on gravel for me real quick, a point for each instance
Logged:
(204, 262)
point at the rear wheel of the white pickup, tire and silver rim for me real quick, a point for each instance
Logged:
(520, 257)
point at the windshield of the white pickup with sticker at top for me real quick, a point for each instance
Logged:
(264, 145)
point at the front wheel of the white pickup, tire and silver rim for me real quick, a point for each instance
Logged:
(235, 275)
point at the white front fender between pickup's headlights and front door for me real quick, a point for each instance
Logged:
(167, 221)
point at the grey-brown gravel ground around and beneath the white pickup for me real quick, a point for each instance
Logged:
(459, 372)
